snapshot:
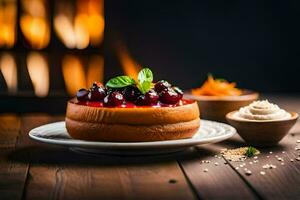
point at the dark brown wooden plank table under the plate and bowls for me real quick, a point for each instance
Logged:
(29, 170)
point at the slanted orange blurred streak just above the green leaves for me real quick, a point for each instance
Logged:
(129, 65)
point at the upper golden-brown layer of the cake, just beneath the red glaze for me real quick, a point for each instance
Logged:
(138, 116)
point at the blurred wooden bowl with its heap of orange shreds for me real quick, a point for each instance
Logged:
(217, 97)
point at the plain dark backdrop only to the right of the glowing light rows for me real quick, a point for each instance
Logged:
(254, 43)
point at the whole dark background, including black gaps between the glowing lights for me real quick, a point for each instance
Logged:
(254, 43)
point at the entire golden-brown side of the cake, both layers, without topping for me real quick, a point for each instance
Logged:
(132, 124)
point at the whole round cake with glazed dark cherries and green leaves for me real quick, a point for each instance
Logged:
(126, 110)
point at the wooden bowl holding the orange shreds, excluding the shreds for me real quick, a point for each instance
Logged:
(216, 108)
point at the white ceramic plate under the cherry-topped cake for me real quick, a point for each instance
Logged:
(56, 134)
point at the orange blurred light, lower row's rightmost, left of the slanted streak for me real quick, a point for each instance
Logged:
(95, 70)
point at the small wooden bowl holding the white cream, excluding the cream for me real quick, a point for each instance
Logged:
(262, 133)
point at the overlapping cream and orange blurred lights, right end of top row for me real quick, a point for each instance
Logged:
(77, 28)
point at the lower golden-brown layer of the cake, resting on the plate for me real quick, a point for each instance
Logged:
(131, 133)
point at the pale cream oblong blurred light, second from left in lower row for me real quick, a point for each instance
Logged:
(38, 69)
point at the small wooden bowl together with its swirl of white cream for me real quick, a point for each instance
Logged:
(262, 123)
